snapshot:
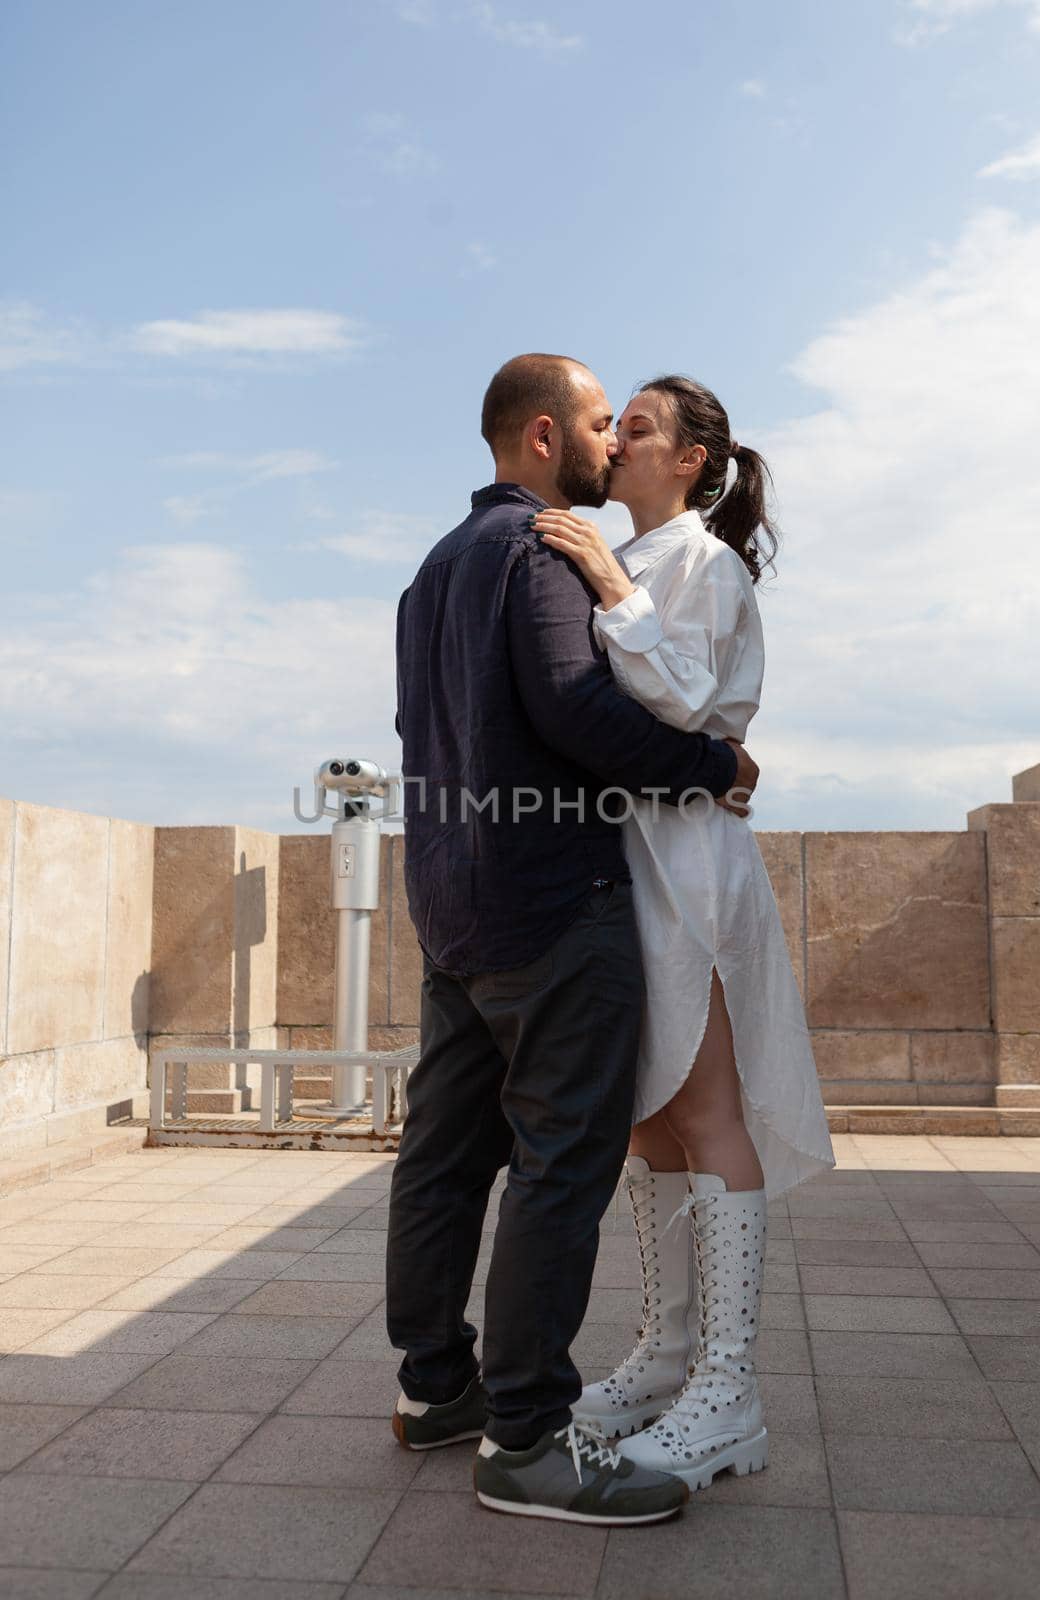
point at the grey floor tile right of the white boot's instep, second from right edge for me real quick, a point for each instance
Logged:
(910, 1409)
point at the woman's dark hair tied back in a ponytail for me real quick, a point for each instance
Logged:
(743, 519)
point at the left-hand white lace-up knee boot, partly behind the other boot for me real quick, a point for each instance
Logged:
(654, 1375)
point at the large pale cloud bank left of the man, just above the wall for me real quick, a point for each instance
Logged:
(226, 697)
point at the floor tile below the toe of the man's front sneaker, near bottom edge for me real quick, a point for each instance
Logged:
(758, 1553)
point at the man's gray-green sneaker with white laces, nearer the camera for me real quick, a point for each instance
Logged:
(574, 1476)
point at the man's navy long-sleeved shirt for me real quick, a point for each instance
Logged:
(503, 692)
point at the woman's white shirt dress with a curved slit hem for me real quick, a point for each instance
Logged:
(689, 647)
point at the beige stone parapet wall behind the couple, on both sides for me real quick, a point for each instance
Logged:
(918, 956)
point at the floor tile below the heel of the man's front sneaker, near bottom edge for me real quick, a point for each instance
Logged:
(452, 1543)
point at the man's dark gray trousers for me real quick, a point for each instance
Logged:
(532, 1068)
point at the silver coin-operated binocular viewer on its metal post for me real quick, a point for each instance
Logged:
(362, 794)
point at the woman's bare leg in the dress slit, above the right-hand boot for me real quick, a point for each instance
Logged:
(706, 1118)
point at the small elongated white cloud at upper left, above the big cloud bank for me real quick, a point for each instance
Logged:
(230, 334)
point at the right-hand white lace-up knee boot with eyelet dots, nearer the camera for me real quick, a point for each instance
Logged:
(716, 1423)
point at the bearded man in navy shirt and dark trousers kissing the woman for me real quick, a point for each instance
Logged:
(514, 734)
